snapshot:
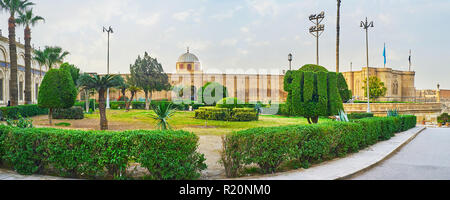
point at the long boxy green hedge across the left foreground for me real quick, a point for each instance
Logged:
(167, 155)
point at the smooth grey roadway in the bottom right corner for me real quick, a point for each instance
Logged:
(426, 158)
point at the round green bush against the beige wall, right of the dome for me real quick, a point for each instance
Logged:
(211, 93)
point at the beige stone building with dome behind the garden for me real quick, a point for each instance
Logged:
(248, 87)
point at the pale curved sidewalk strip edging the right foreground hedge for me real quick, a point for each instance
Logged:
(344, 167)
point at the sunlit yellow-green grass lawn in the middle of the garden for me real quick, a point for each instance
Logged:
(140, 119)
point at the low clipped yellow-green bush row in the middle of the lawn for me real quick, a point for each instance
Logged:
(224, 114)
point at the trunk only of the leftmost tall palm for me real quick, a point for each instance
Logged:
(13, 89)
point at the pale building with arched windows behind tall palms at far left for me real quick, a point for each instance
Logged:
(36, 77)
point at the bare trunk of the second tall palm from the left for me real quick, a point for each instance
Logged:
(28, 65)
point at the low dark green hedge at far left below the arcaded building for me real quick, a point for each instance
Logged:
(23, 110)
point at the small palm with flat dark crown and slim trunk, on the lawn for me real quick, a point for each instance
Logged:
(101, 85)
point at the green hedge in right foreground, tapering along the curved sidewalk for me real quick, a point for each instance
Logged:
(268, 148)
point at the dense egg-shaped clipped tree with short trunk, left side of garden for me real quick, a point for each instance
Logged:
(57, 91)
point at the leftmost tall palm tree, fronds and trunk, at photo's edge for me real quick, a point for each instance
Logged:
(13, 7)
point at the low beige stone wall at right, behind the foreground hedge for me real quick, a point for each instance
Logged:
(424, 111)
